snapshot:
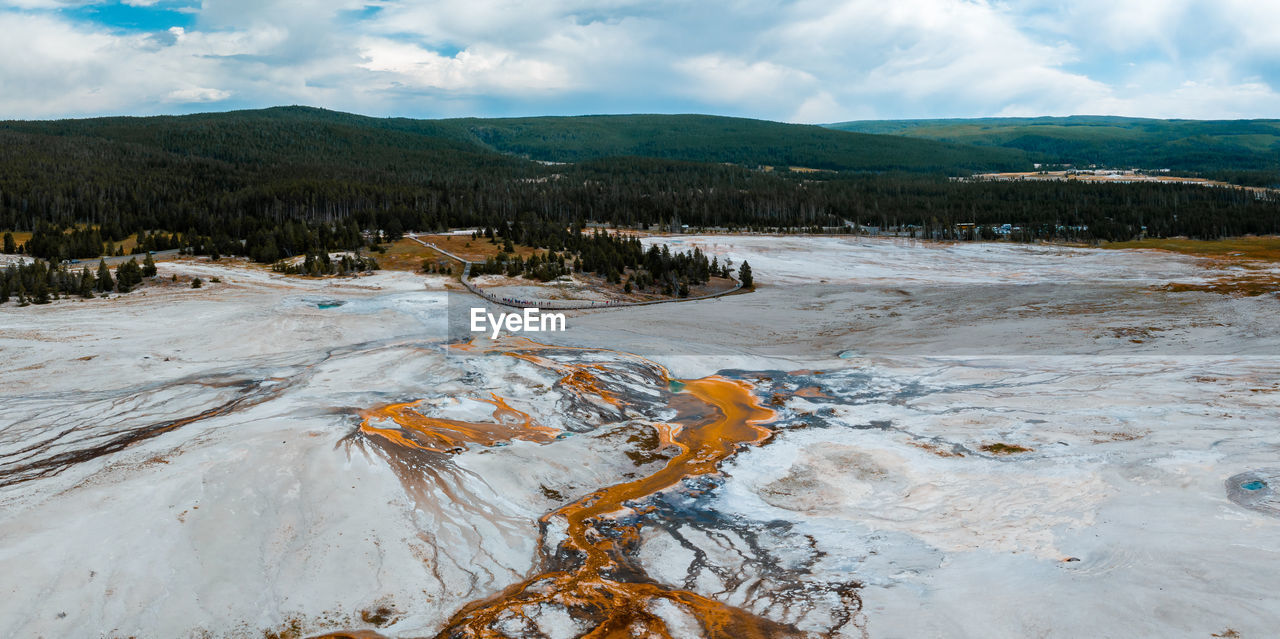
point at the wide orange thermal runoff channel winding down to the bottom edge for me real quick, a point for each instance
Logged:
(586, 577)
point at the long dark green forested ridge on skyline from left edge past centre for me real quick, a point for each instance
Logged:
(299, 135)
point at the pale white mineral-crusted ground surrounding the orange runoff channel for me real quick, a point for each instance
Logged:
(266, 517)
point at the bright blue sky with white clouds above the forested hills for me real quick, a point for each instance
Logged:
(798, 61)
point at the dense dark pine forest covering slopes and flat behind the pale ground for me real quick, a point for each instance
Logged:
(284, 182)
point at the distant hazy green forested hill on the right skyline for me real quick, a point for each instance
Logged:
(1241, 152)
